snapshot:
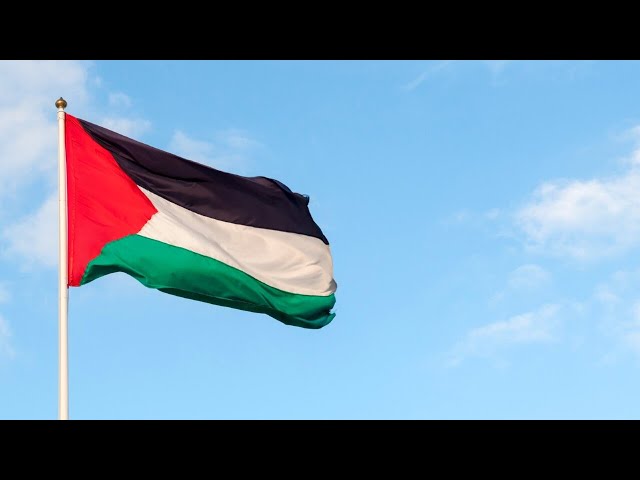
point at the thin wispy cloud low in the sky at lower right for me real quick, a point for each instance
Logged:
(538, 326)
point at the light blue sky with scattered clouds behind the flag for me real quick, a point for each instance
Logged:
(484, 220)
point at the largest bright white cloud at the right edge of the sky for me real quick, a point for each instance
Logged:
(584, 219)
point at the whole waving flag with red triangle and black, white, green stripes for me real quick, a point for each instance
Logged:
(190, 230)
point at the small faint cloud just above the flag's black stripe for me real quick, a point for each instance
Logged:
(229, 151)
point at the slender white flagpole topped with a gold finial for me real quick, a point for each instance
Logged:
(63, 289)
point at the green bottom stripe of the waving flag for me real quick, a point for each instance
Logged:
(187, 274)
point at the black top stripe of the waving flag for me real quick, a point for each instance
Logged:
(254, 201)
